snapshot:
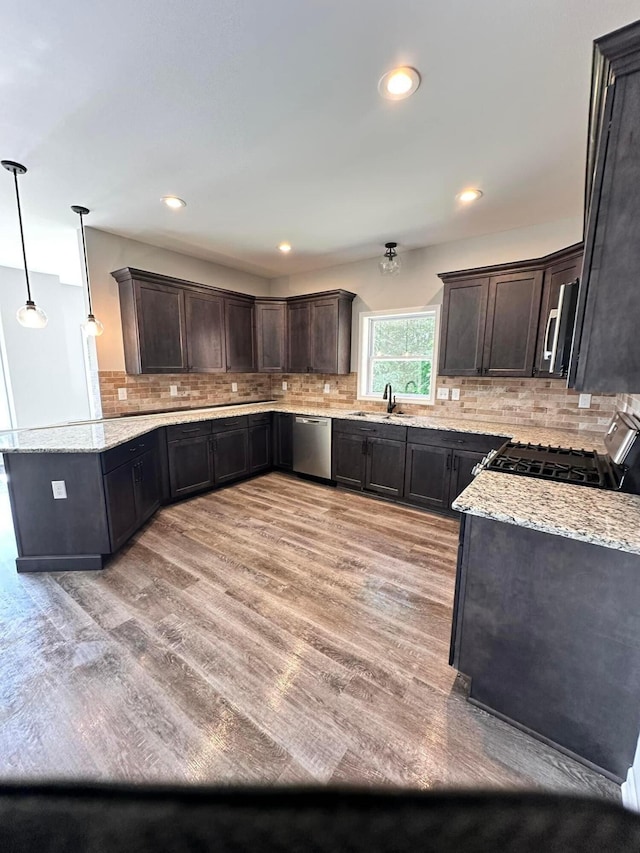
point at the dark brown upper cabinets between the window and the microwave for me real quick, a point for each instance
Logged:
(492, 324)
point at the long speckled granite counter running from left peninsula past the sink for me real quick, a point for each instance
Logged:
(98, 436)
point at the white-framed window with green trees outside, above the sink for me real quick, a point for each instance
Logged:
(399, 347)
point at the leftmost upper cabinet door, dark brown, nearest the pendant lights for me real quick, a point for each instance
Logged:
(161, 322)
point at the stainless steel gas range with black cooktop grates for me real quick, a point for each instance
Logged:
(618, 468)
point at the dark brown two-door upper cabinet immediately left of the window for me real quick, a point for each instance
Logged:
(319, 332)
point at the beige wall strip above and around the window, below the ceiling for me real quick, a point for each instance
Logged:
(418, 283)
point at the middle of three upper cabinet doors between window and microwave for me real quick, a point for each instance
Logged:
(512, 324)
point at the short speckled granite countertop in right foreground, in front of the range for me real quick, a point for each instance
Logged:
(598, 516)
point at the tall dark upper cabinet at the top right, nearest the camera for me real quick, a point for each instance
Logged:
(606, 350)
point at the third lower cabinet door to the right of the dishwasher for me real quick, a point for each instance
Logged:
(428, 475)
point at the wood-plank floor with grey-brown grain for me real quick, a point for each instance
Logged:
(273, 631)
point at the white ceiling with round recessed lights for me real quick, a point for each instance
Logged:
(265, 117)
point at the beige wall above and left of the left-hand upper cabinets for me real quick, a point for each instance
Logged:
(108, 252)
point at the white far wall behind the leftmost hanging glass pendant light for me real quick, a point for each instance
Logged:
(45, 366)
